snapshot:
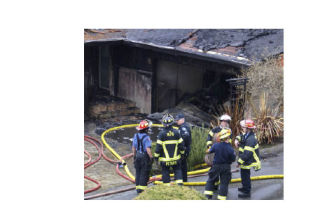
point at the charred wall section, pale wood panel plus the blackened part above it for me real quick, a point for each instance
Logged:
(133, 75)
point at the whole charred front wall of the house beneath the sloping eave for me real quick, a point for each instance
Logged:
(153, 80)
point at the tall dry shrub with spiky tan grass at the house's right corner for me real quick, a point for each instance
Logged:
(265, 98)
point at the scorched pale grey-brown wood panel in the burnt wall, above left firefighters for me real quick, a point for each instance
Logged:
(135, 85)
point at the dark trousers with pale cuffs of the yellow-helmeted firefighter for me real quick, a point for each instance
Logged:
(222, 172)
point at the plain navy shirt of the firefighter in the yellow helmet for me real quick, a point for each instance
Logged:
(224, 153)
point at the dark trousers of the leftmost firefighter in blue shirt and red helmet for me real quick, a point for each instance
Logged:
(143, 166)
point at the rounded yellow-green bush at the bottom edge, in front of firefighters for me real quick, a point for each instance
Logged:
(173, 192)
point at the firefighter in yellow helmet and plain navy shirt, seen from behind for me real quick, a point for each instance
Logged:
(221, 169)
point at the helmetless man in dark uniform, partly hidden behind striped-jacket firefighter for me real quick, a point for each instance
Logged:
(185, 133)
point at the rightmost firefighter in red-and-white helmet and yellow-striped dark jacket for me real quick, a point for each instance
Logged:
(248, 157)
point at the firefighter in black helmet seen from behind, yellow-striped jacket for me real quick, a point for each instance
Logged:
(169, 150)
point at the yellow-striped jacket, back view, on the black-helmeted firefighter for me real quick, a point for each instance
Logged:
(169, 145)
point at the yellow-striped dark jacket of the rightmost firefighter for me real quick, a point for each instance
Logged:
(249, 155)
